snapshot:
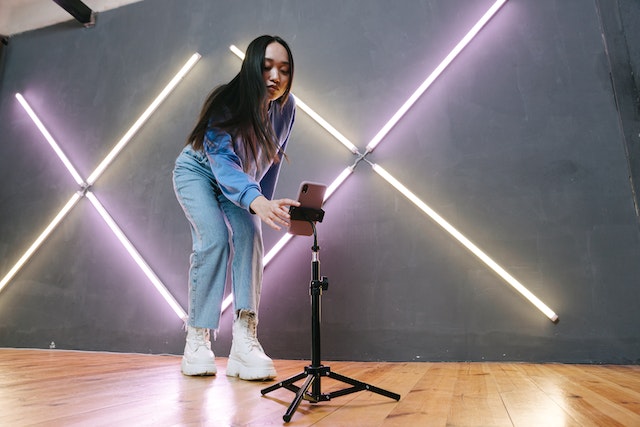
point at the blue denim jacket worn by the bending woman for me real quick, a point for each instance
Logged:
(227, 159)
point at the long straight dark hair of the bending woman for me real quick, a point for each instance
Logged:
(238, 107)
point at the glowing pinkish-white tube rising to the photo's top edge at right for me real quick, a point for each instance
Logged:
(434, 75)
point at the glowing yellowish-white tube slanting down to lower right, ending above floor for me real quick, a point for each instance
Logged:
(467, 244)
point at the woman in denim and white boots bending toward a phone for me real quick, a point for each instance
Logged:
(224, 179)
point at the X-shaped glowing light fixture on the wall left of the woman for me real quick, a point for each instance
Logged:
(96, 173)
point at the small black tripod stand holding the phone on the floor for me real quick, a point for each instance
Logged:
(316, 370)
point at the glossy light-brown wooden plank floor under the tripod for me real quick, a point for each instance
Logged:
(63, 388)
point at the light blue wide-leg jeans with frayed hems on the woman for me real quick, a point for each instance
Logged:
(220, 231)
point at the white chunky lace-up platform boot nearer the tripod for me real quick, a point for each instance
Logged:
(247, 359)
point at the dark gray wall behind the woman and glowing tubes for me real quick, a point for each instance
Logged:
(519, 144)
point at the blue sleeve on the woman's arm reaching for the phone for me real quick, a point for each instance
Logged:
(226, 166)
